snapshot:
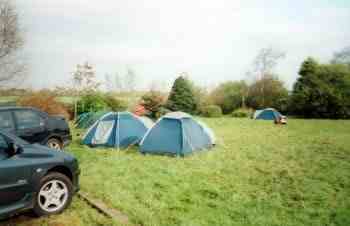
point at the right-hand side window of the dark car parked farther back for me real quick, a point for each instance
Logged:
(27, 119)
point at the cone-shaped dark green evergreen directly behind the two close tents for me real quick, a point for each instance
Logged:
(182, 97)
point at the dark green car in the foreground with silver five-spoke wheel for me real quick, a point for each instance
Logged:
(35, 177)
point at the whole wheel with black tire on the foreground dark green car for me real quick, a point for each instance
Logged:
(54, 195)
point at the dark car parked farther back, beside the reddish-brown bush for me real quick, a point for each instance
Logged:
(35, 126)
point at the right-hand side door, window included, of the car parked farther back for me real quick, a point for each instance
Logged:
(30, 126)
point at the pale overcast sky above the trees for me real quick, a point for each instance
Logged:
(212, 40)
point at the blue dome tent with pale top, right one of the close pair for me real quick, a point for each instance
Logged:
(178, 134)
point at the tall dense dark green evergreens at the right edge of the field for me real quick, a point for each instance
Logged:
(322, 91)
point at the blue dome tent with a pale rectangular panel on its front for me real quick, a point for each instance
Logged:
(116, 129)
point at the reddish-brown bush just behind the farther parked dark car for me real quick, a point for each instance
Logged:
(45, 102)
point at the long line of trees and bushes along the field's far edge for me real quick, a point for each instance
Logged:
(321, 91)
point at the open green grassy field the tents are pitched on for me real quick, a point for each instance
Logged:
(259, 174)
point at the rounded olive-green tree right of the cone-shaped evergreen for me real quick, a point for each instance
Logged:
(229, 95)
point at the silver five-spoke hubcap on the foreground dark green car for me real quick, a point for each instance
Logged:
(53, 196)
